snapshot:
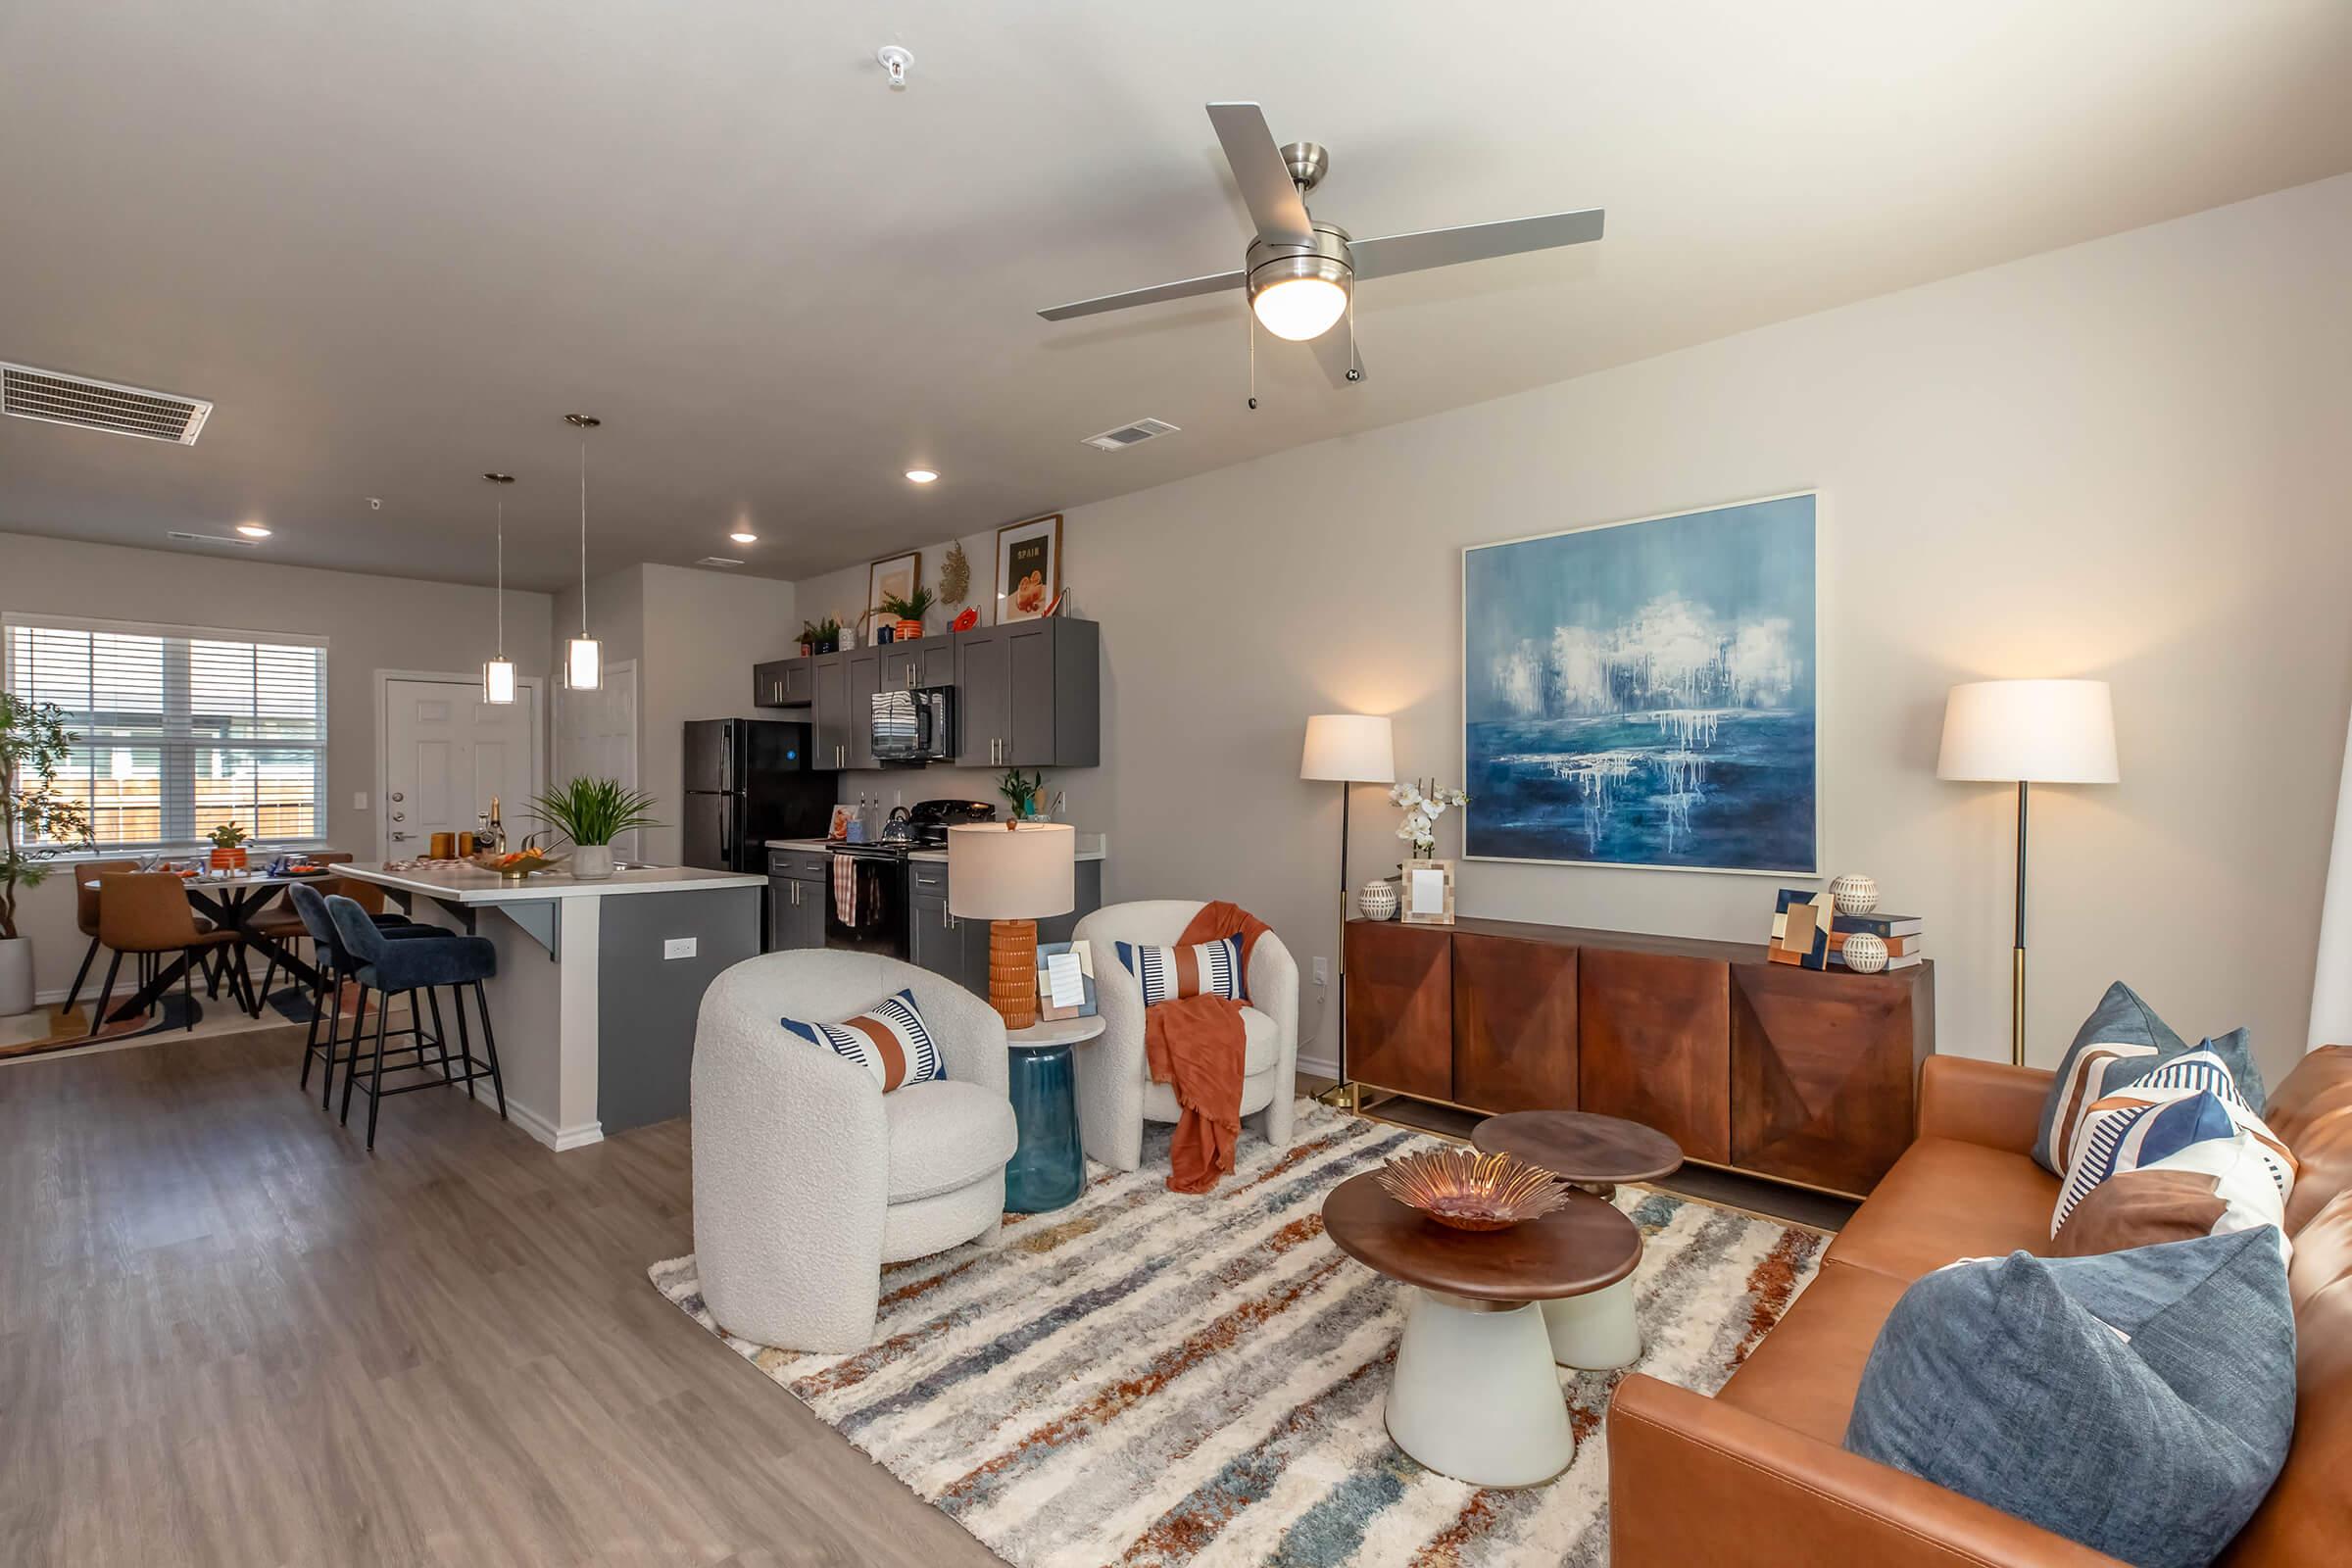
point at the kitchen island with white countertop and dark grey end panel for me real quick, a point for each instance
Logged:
(599, 981)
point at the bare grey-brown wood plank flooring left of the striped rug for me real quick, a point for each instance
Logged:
(232, 1336)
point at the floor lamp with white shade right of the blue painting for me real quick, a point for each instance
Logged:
(2029, 732)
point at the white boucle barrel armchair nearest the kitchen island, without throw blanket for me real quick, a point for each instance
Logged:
(808, 1179)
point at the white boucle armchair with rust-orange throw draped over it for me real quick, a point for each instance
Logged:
(1116, 1092)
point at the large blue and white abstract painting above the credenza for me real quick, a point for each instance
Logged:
(1643, 692)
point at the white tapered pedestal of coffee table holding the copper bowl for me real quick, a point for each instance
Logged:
(1476, 1395)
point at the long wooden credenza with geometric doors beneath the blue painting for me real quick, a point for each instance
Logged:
(1803, 1076)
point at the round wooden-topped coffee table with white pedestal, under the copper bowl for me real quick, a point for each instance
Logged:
(1474, 1393)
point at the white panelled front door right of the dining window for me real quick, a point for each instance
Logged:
(448, 756)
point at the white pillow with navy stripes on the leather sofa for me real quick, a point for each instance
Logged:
(2184, 1120)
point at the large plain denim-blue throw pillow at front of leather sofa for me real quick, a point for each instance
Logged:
(2137, 1402)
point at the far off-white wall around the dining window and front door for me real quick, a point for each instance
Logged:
(370, 624)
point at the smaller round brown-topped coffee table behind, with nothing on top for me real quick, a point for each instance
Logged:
(1598, 1329)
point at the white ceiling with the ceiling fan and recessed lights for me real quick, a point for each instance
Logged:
(399, 243)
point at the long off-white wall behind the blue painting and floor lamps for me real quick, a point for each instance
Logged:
(2123, 462)
